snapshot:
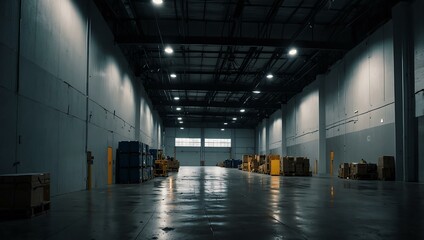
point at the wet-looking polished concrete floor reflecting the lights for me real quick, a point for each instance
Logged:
(218, 203)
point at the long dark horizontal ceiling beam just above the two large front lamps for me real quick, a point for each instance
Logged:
(239, 41)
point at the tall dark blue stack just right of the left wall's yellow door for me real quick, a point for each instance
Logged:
(129, 166)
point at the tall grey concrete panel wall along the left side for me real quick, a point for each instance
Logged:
(47, 117)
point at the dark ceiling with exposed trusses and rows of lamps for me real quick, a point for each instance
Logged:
(224, 49)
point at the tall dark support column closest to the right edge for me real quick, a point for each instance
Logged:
(405, 120)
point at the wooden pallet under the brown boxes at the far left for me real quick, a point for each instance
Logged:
(15, 213)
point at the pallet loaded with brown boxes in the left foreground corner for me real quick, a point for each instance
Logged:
(24, 195)
